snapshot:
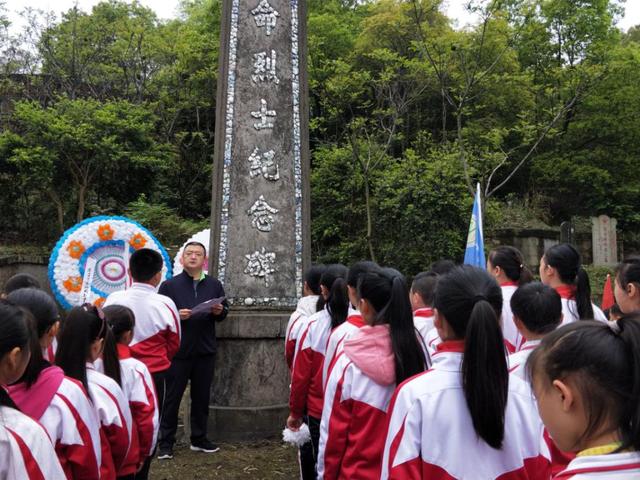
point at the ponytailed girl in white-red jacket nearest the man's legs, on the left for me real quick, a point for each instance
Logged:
(137, 384)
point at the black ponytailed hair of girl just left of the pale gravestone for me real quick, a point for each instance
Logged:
(566, 260)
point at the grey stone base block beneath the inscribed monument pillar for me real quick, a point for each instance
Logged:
(250, 393)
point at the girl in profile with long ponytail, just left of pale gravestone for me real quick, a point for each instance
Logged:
(561, 269)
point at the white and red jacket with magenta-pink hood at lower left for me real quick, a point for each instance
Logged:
(63, 408)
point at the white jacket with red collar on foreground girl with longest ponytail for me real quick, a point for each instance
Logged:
(431, 433)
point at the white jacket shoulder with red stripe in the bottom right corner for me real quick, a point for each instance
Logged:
(614, 466)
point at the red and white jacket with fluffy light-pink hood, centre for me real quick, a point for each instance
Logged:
(357, 396)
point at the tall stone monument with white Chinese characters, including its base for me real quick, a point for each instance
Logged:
(260, 209)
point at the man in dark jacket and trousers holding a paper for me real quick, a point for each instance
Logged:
(195, 360)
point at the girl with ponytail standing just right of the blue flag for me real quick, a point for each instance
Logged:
(506, 265)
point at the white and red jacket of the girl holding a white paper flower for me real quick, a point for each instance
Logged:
(306, 394)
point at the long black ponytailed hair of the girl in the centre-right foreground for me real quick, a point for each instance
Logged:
(471, 302)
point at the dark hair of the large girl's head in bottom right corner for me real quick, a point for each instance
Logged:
(604, 363)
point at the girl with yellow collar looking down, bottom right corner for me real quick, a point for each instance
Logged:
(586, 378)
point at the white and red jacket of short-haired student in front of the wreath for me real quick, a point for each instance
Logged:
(156, 338)
